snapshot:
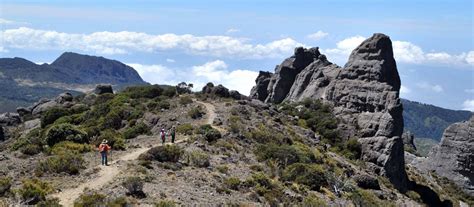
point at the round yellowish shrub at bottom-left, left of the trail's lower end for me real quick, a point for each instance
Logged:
(34, 190)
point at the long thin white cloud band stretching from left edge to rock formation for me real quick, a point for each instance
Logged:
(128, 42)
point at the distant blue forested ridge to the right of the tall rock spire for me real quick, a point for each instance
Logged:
(429, 121)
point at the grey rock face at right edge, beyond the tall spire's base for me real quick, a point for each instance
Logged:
(453, 158)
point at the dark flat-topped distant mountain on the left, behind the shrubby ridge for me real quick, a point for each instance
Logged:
(25, 82)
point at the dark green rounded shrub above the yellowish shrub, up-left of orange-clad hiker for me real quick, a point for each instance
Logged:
(65, 132)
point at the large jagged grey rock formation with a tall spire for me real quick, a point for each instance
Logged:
(364, 93)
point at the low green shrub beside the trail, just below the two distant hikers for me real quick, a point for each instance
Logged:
(167, 153)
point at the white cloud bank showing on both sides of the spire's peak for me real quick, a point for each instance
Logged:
(403, 51)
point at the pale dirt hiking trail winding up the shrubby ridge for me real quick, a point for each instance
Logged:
(107, 174)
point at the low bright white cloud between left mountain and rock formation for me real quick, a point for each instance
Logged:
(213, 71)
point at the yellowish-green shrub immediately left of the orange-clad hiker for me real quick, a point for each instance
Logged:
(66, 162)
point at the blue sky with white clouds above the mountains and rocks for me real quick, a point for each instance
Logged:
(228, 42)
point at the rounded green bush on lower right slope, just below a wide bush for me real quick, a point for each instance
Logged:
(311, 175)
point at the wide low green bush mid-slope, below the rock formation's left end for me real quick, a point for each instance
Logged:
(285, 154)
